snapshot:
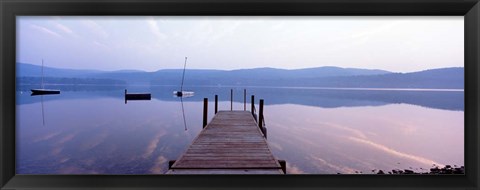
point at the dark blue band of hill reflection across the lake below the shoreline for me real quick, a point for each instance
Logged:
(325, 98)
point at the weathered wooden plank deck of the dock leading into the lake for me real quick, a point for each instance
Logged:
(231, 143)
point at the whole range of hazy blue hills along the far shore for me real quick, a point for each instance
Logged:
(309, 77)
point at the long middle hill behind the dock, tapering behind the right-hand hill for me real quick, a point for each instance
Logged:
(257, 76)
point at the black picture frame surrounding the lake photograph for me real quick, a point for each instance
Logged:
(470, 9)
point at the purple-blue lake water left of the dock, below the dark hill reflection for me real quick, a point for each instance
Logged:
(102, 135)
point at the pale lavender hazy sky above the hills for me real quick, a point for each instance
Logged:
(399, 44)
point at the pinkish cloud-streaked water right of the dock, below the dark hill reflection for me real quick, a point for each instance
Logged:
(349, 139)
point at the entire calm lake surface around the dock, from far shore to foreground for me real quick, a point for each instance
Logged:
(91, 130)
